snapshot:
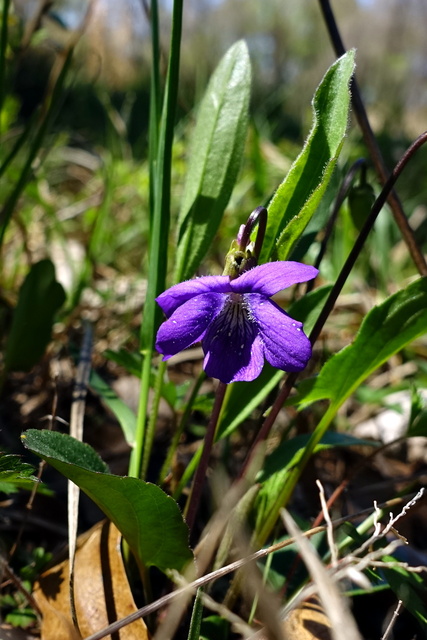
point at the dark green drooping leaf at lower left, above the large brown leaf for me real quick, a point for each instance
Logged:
(149, 520)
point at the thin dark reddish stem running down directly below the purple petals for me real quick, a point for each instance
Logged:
(200, 476)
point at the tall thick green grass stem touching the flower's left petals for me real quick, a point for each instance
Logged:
(157, 264)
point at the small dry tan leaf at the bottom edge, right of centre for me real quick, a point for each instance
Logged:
(307, 622)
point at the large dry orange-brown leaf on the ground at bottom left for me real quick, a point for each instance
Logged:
(101, 590)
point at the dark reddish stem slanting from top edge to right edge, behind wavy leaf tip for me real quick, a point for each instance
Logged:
(372, 145)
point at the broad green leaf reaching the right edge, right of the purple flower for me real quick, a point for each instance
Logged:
(386, 329)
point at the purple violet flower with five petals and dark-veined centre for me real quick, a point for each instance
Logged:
(236, 321)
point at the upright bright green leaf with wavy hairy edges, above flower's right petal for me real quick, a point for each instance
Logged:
(299, 195)
